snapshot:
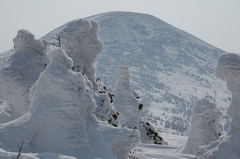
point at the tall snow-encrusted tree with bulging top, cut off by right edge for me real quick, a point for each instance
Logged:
(228, 69)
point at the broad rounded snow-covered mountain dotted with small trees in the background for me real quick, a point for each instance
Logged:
(170, 68)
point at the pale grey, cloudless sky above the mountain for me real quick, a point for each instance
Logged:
(214, 21)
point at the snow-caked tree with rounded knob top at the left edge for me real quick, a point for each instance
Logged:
(22, 69)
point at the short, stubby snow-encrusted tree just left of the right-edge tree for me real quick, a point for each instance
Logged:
(203, 130)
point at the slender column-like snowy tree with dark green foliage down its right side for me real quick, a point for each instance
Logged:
(131, 112)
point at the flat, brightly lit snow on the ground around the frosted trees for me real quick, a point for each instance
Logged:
(142, 151)
